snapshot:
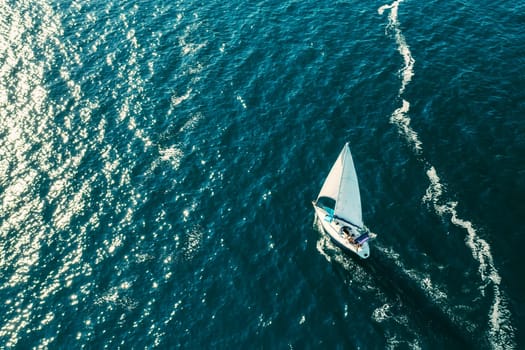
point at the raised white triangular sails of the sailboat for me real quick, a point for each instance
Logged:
(341, 185)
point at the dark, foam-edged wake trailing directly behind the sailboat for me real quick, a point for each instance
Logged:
(396, 287)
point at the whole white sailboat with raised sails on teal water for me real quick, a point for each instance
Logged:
(338, 207)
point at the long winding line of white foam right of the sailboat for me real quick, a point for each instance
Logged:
(501, 331)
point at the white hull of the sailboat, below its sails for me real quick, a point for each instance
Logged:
(333, 229)
